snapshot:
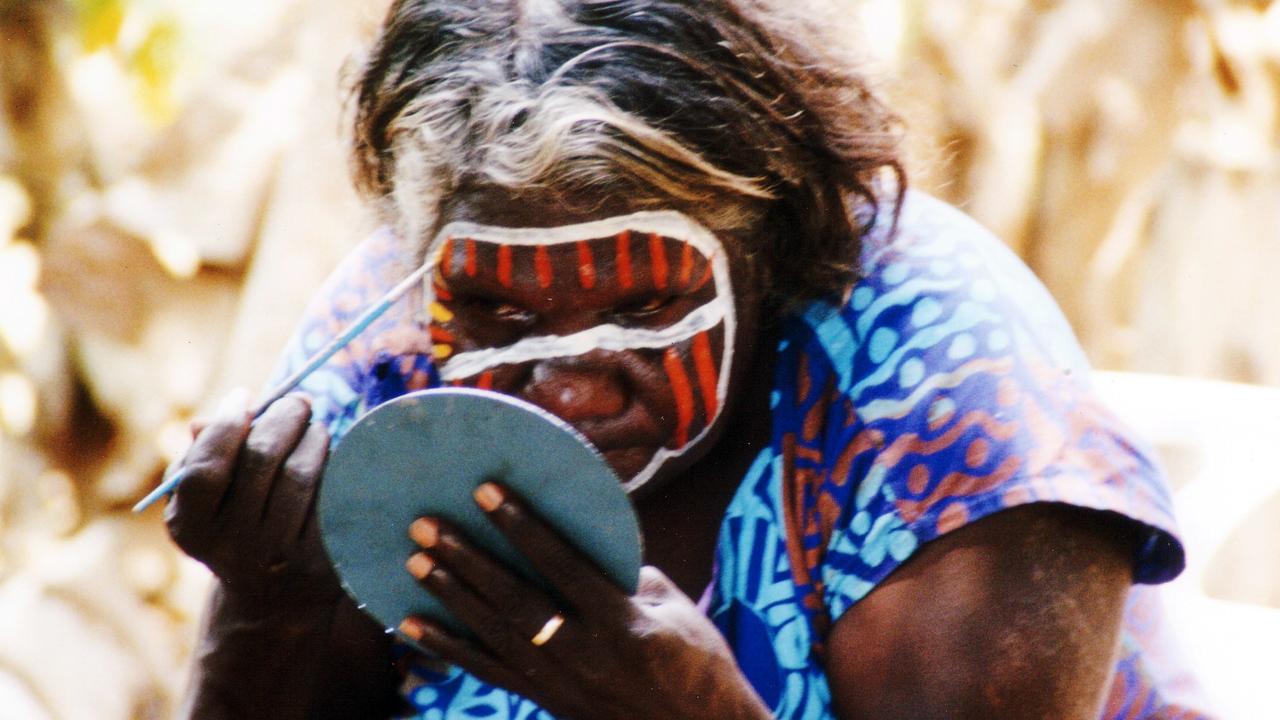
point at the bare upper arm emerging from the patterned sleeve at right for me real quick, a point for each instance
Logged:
(1017, 616)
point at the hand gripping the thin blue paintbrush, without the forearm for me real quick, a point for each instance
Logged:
(245, 508)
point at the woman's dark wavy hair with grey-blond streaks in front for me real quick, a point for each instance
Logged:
(742, 116)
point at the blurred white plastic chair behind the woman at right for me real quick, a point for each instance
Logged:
(1233, 435)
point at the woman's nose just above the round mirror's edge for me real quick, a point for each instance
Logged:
(578, 389)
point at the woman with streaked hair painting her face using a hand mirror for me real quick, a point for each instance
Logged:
(852, 423)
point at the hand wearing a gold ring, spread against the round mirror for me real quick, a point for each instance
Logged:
(650, 655)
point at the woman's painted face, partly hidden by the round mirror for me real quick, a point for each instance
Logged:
(633, 327)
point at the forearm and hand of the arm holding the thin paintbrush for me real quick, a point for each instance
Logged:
(281, 640)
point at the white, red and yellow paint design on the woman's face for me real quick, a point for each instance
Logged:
(676, 270)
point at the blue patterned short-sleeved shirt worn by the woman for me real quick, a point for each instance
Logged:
(945, 388)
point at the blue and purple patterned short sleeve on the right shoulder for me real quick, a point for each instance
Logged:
(947, 389)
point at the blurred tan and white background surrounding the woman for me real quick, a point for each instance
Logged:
(173, 188)
